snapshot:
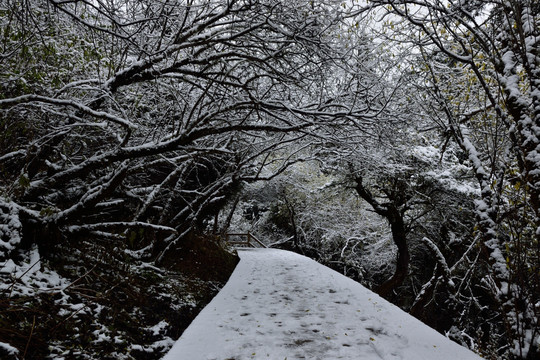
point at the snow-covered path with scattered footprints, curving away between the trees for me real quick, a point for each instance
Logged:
(281, 305)
